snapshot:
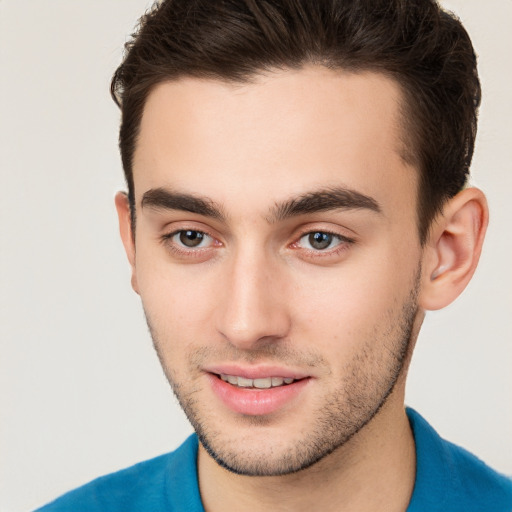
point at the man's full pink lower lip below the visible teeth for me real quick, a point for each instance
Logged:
(256, 402)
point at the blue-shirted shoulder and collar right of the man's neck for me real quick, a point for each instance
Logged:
(450, 478)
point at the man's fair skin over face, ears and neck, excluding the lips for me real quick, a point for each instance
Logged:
(256, 292)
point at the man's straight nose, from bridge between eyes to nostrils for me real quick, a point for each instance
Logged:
(253, 308)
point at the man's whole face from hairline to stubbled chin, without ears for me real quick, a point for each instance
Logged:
(277, 258)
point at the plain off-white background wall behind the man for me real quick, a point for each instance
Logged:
(81, 392)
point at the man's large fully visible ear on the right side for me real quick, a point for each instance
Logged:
(453, 248)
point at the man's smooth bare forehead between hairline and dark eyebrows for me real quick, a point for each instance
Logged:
(283, 133)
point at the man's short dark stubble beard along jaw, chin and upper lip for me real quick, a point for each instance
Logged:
(342, 416)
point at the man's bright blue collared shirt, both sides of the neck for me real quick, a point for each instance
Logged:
(448, 479)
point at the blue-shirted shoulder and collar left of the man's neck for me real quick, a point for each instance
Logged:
(155, 485)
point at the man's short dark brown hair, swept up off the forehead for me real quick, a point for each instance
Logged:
(425, 49)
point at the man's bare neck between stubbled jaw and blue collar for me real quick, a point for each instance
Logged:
(375, 470)
